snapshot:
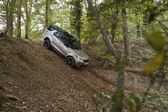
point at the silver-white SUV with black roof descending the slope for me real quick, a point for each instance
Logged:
(66, 45)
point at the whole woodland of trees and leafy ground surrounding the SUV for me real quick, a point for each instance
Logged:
(125, 39)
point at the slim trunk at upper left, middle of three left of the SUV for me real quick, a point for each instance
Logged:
(19, 13)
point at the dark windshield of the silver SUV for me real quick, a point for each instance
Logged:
(70, 41)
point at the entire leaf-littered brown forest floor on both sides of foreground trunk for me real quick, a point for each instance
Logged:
(41, 81)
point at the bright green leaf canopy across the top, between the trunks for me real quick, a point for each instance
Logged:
(60, 13)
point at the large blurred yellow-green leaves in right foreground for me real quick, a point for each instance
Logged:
(157, 41)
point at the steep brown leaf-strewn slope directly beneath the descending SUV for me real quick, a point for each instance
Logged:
(43, 82)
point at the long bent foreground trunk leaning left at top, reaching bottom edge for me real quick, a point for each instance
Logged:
(118, 105)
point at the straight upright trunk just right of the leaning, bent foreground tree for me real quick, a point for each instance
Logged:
(125, 32)
